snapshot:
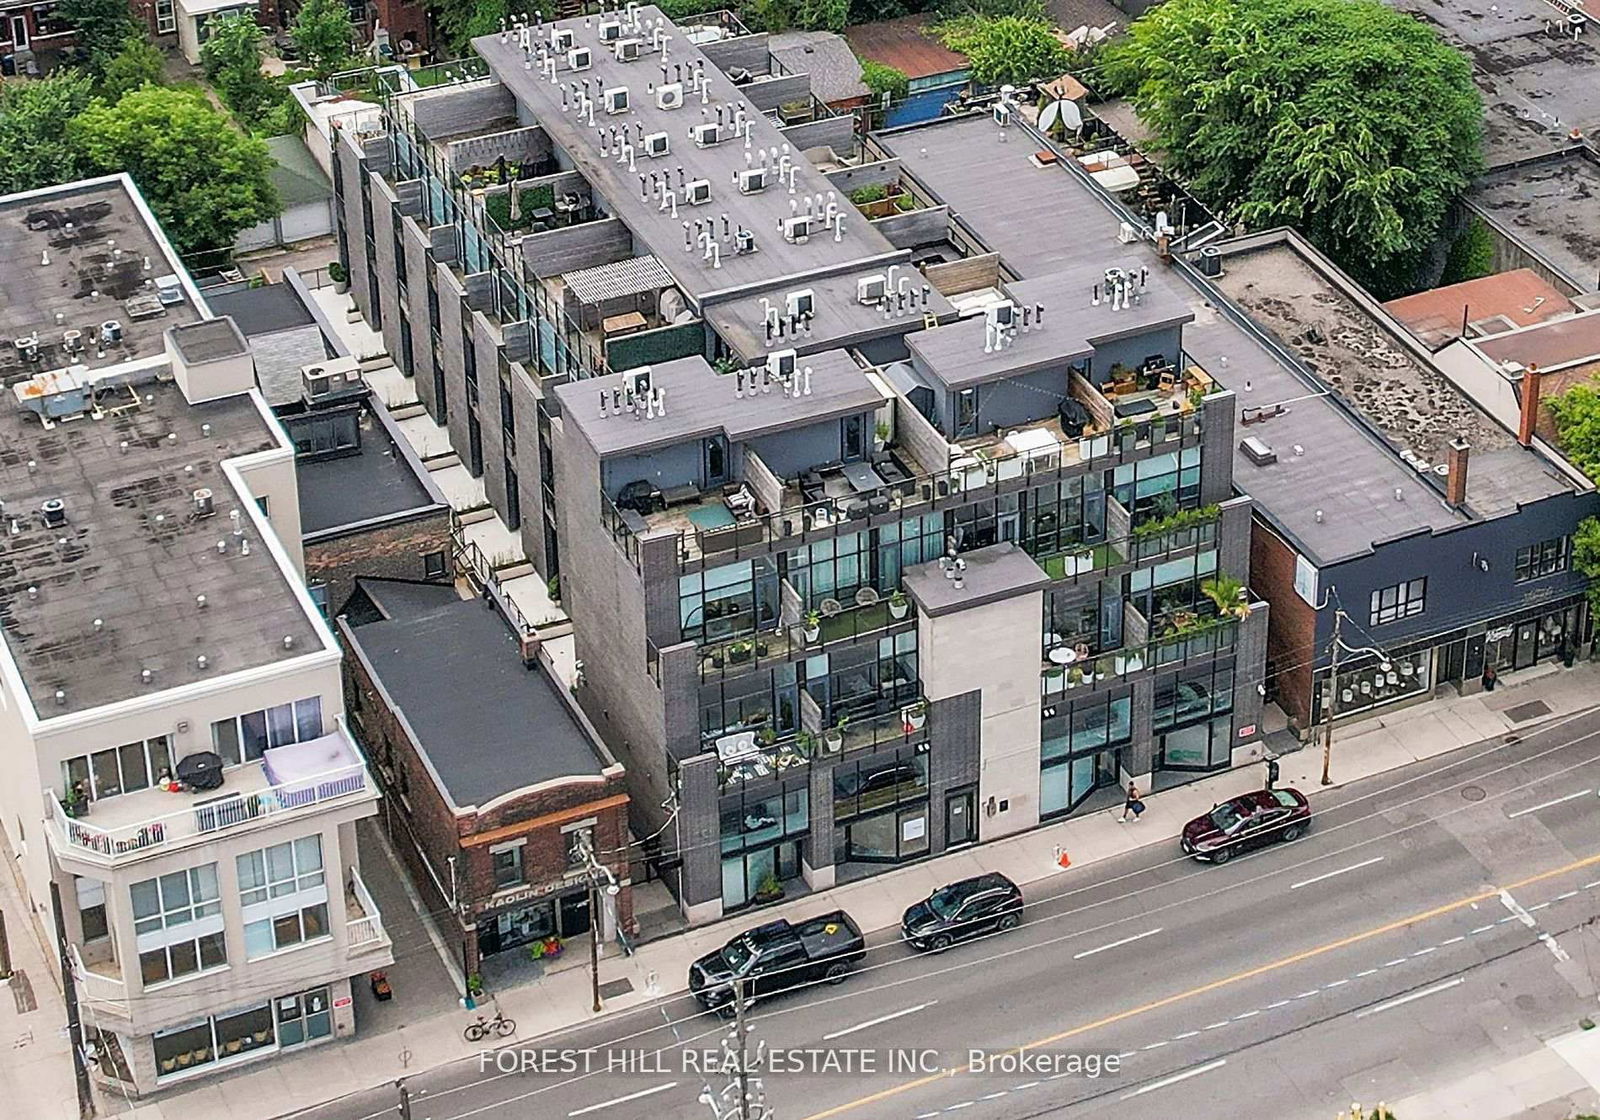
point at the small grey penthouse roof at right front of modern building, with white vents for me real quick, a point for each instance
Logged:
(1073, 326)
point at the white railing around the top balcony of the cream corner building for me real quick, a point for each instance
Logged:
(207, 814)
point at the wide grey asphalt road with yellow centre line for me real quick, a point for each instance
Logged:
(1434, 922)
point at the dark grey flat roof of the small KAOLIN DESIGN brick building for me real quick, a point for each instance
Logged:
(486, 724)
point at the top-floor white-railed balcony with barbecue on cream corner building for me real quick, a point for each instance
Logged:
(132, 826)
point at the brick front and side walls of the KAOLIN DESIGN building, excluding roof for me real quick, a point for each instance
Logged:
(426, 831)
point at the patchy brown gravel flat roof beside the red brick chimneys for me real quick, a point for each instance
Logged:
(1414, 406)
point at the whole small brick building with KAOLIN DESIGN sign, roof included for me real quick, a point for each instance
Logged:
(494, 775)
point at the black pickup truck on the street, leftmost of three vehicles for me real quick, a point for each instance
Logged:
(778, 958)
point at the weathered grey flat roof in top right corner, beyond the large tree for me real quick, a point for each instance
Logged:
(1535, 86)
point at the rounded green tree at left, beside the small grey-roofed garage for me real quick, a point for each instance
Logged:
(204, 180)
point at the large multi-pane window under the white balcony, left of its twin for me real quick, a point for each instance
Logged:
(178, 924)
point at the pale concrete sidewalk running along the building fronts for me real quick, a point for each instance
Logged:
(562, 998)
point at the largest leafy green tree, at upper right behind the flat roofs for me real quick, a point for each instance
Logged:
(1346, 119)
